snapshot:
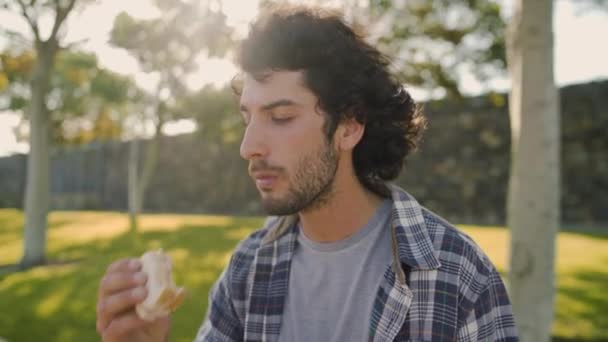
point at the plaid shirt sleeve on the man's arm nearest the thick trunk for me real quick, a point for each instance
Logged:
(491, 318)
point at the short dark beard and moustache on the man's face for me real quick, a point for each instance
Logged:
(311, 186)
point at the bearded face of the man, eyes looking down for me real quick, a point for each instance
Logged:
(291, 161)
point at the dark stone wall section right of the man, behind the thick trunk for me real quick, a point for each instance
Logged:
(462, 167)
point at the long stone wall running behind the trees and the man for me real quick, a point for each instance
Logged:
(460, 171)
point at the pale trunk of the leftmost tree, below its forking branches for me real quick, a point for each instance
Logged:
(37, 183)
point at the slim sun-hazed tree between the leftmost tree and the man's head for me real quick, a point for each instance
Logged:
(167, 46)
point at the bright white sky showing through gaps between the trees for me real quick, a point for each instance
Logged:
(578, 55)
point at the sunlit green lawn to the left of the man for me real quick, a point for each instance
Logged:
(57, 303)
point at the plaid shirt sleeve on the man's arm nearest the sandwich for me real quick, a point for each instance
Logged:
(222, 323)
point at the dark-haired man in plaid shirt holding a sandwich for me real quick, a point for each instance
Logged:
(346, 256)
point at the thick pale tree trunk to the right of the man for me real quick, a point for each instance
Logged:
(533, 198)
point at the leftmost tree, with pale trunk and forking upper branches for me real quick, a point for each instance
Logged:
(36, 14)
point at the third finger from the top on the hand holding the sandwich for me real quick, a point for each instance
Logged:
(112, 306)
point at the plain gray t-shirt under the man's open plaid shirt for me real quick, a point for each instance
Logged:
(332, 286)
